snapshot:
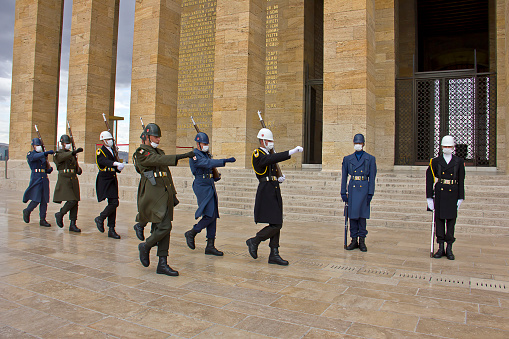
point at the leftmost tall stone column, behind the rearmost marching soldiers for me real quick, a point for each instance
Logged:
(35, 74)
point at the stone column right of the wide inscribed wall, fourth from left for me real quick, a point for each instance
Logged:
(238, 77)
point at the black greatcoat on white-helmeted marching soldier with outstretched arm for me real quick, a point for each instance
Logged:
(268, 202)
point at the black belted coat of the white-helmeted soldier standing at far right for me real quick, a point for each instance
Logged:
(446, 195)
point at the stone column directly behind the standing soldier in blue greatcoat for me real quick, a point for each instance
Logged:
(349, 74)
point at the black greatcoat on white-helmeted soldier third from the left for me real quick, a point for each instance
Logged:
(106, 185)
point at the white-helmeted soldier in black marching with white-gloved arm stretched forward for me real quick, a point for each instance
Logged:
(268, 202)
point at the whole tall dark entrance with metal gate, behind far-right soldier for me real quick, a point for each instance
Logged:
(450, 87)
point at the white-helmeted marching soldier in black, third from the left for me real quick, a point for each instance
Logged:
(106, 185)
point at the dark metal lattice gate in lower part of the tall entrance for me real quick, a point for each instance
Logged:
(457, 103)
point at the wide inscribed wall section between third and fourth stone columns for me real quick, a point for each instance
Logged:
(196, 68)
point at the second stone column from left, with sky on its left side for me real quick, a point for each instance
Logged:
(91, 70)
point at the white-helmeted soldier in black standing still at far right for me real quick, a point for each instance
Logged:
(449, 193)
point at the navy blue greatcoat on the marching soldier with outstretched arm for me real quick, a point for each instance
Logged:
(203, 185)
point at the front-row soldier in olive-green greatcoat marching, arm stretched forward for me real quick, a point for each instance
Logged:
(156, 196)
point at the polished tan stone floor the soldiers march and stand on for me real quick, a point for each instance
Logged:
(54, 284)
